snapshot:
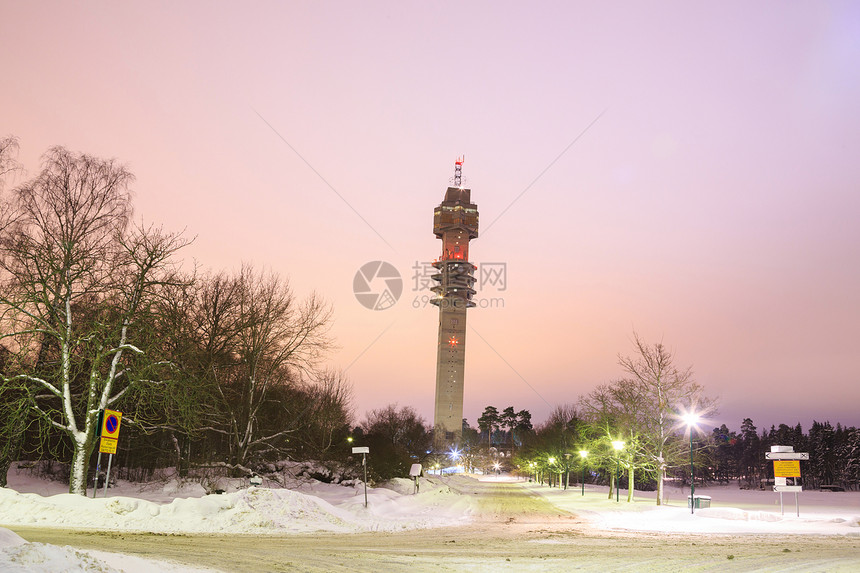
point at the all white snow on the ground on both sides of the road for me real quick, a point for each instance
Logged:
(317, 507)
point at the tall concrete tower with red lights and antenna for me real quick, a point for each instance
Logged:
(455, 222)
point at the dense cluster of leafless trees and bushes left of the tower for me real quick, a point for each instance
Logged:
(96, 312)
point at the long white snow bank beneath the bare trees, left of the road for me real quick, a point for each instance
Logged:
(319, 507)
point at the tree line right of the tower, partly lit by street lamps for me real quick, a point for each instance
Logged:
(643, 414)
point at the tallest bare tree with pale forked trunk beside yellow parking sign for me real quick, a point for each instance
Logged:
(79, 285)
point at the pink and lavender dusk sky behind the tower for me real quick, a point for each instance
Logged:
(712, 206)
